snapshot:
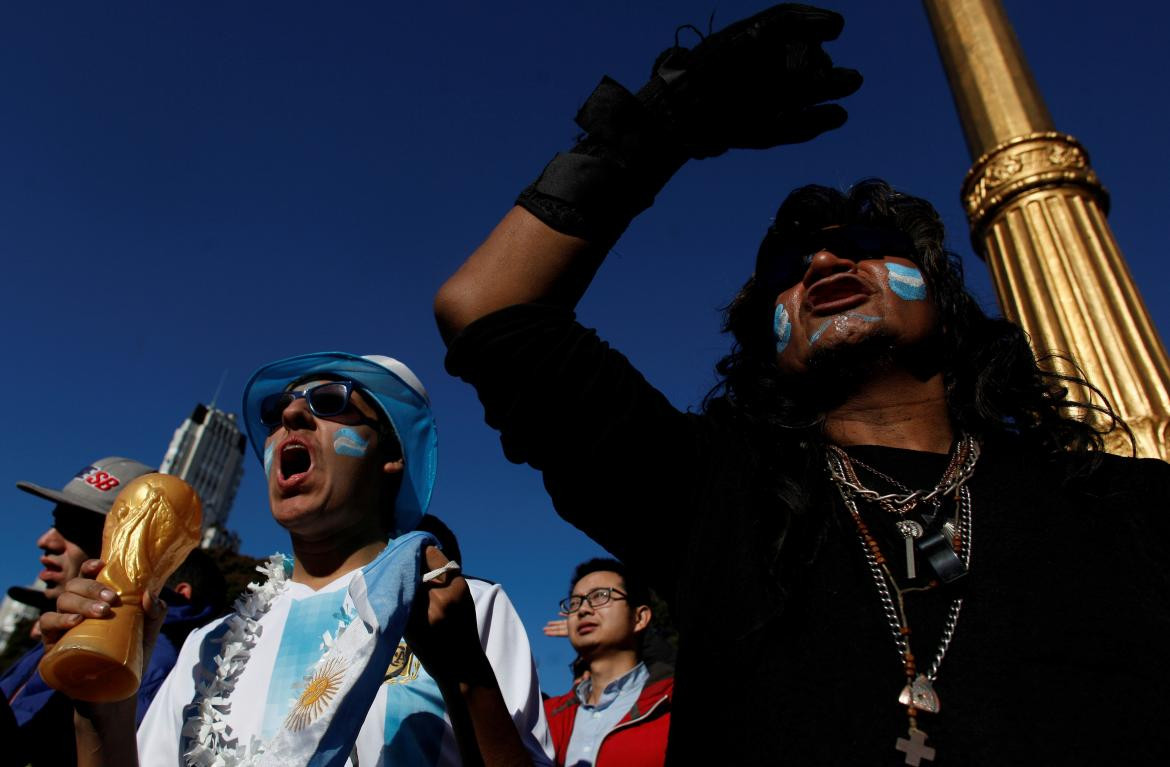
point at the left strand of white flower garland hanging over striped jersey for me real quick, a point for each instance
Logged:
(207, 728)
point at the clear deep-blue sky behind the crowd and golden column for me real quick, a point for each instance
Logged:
(196, 189)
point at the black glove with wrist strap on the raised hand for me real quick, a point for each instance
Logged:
(758, 84)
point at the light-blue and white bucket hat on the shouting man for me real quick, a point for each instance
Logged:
(397, 392)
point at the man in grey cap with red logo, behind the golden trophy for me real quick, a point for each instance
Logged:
(45, 716)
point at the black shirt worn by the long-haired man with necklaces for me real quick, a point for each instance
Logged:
(1061, 652)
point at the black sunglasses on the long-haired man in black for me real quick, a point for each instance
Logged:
(784, 261)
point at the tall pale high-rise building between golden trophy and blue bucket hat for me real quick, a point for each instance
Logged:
(208, 452)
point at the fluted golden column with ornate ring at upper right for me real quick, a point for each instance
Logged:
(1038, 218)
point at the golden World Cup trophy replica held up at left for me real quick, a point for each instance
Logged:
(155, 523)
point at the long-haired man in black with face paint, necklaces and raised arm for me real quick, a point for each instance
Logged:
(890, 537)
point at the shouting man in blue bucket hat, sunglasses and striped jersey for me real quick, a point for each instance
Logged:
(311, 669)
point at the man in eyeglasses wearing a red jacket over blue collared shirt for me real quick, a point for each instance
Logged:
(620, 716)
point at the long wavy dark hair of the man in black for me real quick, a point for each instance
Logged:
(996, 389)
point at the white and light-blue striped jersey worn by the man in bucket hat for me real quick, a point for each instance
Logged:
(408, 723)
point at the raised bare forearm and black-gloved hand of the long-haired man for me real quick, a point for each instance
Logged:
(758, 84)
